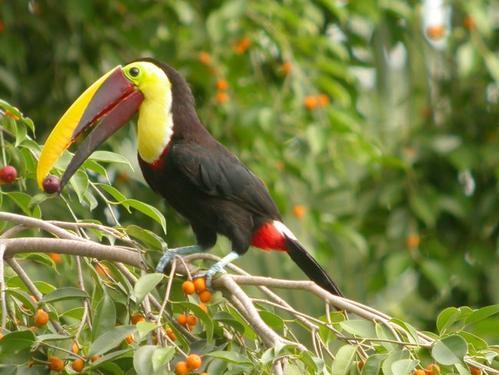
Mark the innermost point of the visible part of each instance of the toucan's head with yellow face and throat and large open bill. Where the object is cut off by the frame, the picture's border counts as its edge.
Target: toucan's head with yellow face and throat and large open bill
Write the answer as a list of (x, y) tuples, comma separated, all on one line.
[(143, 86)]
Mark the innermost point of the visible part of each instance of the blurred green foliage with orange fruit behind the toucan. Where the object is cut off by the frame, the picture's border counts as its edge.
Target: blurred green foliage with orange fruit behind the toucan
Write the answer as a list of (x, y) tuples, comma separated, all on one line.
[(373, 123)]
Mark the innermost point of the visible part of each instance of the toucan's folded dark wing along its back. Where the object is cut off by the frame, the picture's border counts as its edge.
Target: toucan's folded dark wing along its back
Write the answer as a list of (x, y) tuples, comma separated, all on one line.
[(217, 172)]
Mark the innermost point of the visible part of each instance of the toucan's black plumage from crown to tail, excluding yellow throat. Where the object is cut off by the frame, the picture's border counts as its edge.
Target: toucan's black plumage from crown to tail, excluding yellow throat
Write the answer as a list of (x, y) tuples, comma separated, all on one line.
[(213, 189)]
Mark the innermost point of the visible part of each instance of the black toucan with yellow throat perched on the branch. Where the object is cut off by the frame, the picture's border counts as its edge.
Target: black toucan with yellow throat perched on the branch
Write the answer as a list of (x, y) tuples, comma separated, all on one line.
[(181, 161)]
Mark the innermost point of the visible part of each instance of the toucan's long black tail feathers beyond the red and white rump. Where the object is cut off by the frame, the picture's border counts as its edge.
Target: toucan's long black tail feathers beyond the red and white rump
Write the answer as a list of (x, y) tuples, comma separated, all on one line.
[(310, 266)]
